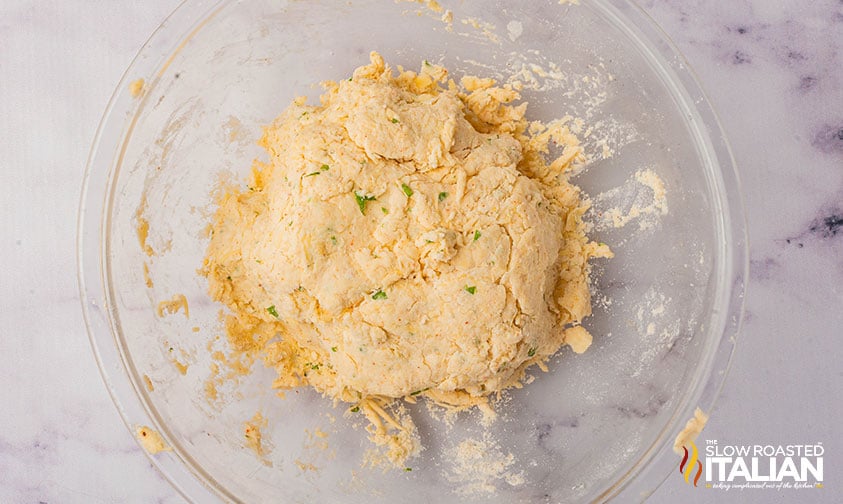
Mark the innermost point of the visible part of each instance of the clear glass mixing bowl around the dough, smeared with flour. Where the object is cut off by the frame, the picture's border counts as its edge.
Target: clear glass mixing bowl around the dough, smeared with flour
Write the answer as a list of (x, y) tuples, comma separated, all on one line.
[(596, 426)]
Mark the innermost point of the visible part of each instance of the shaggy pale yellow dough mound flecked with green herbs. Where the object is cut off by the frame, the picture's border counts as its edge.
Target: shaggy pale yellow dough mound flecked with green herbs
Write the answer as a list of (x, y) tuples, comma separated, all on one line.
[(406, 237)]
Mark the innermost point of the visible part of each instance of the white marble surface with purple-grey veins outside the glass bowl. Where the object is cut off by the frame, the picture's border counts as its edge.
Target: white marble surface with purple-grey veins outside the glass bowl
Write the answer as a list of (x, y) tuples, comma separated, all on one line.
[(773, 69)]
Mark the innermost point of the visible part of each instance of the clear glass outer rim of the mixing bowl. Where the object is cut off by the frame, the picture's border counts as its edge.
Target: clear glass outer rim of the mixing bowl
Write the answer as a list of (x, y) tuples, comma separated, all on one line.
[(643, 478)]
